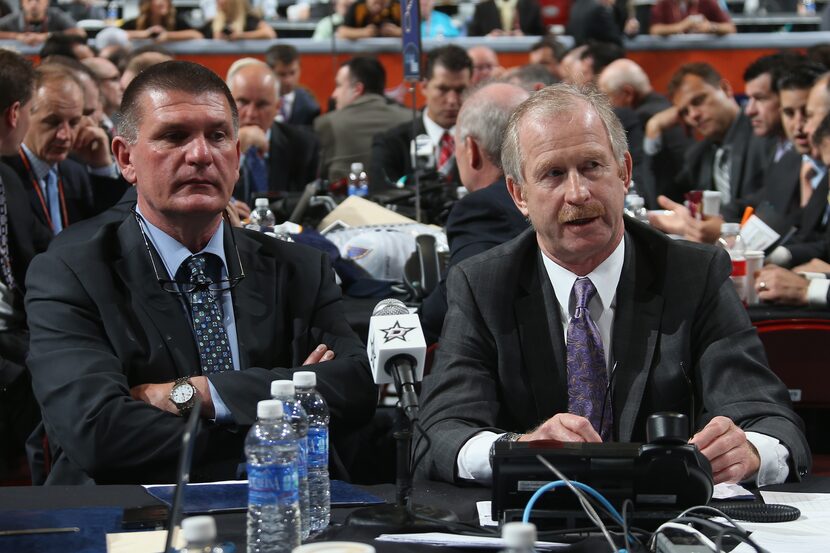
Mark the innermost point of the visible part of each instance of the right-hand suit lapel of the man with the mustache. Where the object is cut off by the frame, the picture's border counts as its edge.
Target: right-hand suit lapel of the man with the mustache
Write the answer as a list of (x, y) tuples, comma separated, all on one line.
[(636, 331)]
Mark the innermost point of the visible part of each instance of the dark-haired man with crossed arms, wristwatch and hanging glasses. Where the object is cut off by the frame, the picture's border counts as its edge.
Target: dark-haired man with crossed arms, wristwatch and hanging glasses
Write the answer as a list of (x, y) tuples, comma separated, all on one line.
[(133, 323)]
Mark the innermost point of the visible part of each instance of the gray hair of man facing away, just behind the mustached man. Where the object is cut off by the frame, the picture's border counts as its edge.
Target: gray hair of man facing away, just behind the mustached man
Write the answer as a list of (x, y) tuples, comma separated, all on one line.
[(485, 114)]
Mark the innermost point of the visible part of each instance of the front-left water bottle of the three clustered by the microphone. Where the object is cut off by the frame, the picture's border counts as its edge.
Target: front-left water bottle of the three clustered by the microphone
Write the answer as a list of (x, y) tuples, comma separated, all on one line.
[(273, 501)]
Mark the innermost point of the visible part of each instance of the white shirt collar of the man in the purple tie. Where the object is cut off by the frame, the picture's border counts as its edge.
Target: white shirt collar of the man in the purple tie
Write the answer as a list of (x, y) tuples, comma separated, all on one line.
[(606, 278)]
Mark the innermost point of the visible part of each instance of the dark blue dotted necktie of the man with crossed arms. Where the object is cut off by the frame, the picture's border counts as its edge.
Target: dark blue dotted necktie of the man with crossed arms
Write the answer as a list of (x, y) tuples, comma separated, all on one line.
[(206, 315)]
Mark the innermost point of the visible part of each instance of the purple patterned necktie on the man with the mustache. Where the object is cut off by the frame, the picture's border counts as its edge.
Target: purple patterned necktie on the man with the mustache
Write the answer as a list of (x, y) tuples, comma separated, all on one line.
[(587, 375)]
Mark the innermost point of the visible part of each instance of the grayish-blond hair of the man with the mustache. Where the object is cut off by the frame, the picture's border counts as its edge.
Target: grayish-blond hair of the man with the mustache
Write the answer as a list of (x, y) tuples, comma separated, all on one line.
[(551, 101)]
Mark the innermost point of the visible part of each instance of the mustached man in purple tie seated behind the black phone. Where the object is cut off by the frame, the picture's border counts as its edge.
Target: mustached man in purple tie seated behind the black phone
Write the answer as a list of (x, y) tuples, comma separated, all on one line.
[(585, 325)]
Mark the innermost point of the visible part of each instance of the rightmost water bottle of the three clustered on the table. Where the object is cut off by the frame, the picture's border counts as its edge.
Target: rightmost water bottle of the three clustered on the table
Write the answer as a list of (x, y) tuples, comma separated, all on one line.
[(318, 448)]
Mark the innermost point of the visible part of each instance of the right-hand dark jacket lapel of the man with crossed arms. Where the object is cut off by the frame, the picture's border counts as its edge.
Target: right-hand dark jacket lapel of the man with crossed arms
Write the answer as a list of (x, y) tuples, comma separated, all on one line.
[(251, 296)]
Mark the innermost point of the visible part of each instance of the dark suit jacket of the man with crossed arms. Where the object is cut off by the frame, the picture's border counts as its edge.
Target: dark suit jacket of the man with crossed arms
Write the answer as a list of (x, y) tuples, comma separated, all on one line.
[(101, 324)]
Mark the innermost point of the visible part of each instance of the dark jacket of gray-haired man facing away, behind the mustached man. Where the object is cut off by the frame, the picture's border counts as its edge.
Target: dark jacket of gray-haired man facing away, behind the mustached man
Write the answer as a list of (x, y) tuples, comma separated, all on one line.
[(479, 221)]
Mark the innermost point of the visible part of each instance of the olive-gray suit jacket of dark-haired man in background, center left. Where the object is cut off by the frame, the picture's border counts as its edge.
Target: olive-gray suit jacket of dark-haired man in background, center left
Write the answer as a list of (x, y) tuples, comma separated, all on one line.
[(346, 134)]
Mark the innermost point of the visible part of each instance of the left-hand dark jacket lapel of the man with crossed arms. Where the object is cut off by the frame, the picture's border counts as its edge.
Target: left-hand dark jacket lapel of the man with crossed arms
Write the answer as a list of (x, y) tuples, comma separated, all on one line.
[(163, 309)]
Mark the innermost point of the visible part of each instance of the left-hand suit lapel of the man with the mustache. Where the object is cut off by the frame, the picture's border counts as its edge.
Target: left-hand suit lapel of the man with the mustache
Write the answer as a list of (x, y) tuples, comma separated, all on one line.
[(540, 335)]
